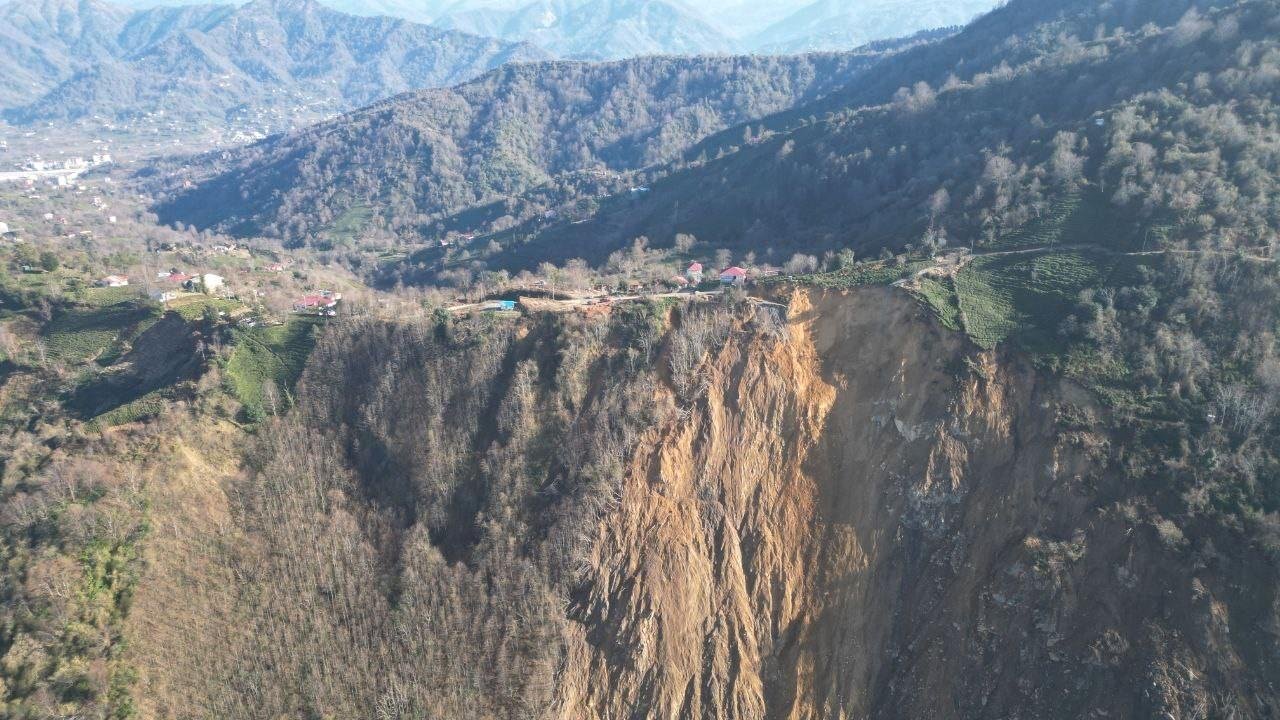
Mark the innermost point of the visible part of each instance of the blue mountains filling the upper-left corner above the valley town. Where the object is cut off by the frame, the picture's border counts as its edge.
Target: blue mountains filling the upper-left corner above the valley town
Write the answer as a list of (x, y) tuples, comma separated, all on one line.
[(273, 61)]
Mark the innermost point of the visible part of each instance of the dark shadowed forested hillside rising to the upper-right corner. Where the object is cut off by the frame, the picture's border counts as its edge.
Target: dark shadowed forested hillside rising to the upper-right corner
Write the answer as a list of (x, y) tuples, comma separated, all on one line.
[(1167, 127)]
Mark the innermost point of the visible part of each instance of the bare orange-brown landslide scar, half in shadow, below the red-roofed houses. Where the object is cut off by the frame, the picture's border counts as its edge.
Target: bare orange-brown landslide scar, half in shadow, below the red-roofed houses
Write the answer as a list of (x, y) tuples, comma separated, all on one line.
[(871, 520)]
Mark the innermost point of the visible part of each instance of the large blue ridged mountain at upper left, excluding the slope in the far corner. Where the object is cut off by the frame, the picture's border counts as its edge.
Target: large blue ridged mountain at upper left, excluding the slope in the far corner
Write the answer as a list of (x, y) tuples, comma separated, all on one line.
[(294, 58)]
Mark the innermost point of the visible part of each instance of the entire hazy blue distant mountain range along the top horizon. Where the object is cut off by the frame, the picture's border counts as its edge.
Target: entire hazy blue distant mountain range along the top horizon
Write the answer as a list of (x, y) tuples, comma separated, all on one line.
[(278, 65)]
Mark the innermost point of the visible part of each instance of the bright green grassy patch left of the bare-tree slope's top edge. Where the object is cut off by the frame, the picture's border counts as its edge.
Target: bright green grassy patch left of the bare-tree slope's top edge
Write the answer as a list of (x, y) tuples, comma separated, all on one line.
[(276, 354)]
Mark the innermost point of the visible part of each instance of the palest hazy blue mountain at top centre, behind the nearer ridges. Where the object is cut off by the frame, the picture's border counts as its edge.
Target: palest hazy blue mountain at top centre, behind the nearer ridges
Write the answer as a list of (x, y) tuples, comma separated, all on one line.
[(600, 29)]
